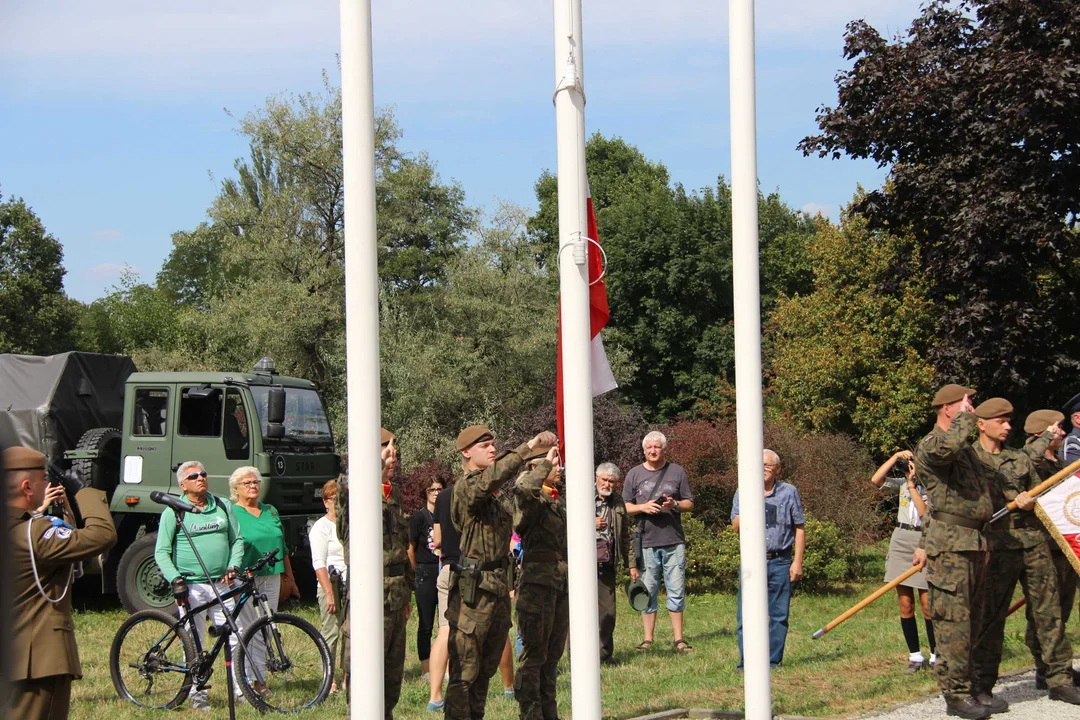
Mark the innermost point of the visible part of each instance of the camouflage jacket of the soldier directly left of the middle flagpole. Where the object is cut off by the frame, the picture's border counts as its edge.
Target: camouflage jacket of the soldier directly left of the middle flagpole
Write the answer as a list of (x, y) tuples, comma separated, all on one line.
[(541, 521)]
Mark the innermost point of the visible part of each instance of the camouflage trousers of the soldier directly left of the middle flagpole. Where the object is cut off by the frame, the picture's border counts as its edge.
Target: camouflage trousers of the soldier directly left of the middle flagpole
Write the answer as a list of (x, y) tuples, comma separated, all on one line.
[(544, 622)]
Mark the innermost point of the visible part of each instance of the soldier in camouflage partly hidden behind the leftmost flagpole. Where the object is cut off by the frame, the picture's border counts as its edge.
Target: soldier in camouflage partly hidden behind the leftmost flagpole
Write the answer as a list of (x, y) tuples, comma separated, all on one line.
[(397, 576)]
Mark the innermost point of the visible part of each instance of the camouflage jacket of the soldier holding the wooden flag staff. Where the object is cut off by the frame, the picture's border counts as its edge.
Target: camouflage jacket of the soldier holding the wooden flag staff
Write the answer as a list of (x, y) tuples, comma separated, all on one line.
[(1010, 473)]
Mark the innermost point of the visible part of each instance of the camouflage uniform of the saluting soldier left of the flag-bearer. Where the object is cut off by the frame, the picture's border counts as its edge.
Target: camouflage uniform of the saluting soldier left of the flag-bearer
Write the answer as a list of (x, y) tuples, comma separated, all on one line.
[(956, 554)]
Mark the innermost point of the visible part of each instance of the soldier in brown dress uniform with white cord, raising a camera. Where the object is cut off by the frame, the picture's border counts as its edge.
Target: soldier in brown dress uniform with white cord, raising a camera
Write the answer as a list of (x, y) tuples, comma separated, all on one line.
[(44, 660)]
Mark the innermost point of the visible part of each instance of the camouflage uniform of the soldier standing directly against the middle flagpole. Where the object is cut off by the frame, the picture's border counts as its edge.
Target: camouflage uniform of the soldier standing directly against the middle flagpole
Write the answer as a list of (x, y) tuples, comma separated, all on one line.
[(544, 616)]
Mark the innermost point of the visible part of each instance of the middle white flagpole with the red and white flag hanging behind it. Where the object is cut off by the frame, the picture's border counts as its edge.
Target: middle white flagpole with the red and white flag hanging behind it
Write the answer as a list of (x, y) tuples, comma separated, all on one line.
[(577, 361)]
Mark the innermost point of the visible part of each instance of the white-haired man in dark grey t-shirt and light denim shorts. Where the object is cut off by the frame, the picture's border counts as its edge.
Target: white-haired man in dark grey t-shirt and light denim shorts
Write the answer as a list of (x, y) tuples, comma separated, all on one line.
[(657, 493)]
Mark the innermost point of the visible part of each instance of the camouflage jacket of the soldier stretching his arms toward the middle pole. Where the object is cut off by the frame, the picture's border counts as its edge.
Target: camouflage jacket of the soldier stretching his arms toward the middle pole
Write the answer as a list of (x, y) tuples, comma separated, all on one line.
[(484, 517)]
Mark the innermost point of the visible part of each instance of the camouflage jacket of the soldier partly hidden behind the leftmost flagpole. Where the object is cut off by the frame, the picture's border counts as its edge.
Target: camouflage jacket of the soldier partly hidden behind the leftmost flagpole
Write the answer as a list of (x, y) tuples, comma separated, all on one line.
[(397, 572)]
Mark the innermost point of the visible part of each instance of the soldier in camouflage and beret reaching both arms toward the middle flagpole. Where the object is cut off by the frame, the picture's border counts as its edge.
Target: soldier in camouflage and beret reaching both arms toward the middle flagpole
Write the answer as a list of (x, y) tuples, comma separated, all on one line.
[(479, 606)]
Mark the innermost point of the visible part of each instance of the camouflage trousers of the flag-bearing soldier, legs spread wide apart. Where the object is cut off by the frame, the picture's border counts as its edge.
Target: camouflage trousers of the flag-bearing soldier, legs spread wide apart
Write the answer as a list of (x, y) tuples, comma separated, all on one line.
[(1035, 570)]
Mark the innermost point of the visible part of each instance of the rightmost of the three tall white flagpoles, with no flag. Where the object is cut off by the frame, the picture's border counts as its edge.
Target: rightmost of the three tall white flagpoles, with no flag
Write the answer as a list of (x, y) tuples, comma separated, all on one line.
[(748, 319)]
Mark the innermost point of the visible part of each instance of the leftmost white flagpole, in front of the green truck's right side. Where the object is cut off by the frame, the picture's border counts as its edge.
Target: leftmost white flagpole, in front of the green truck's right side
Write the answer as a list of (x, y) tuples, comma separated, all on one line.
[(362, 360)]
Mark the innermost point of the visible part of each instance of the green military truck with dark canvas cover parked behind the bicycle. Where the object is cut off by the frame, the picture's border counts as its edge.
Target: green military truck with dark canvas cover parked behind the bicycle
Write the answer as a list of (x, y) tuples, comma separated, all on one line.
[(127, 432)]
